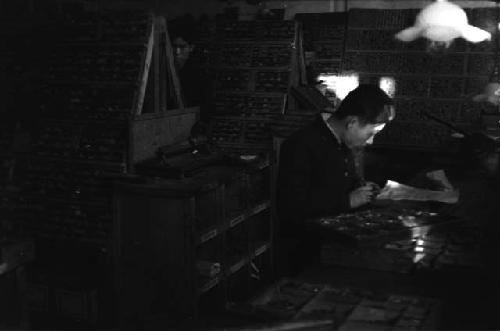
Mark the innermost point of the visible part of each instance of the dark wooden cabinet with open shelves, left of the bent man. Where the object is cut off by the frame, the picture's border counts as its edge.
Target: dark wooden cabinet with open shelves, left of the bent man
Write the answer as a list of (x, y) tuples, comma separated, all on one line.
[(192, 246)]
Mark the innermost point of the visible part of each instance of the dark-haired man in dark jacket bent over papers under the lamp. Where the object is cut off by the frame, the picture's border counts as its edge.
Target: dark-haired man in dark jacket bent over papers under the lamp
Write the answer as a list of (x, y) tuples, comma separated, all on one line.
[(317, 170)]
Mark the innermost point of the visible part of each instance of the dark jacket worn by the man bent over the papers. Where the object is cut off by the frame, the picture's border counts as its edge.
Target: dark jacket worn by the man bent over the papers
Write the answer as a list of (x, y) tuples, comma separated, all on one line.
[(316, 174)]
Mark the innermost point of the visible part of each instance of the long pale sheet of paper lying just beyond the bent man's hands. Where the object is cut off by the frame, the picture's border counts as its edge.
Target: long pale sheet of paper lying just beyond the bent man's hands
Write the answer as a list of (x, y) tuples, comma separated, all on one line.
[(396, 191)]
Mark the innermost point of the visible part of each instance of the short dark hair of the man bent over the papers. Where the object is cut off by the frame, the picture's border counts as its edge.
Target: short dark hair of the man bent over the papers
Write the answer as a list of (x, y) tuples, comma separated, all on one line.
[(369, 103)]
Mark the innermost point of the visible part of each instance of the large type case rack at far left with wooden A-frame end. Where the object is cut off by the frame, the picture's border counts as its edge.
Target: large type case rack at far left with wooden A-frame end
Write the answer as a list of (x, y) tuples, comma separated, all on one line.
[(109, 98)]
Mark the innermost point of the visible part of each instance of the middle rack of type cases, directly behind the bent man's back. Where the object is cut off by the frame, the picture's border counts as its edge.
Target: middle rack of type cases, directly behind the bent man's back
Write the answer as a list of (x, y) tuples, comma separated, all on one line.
[(256, 64)]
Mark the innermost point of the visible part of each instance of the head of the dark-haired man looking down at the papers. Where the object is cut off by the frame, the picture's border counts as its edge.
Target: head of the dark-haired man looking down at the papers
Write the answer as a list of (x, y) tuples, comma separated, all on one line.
[(364, 112)]
